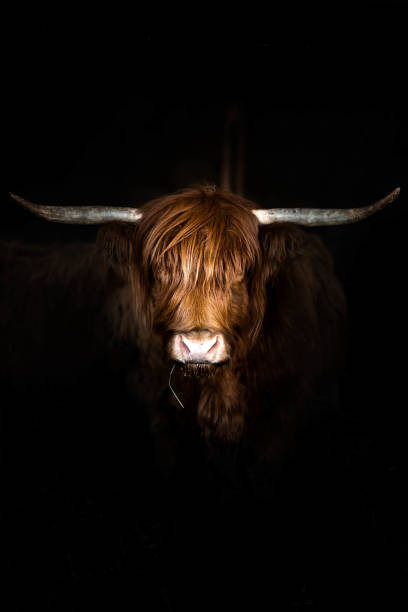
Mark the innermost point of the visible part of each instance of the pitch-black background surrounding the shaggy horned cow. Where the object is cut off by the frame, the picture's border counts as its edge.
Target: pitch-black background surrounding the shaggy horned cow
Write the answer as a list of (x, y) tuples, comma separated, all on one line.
[(110, 114)]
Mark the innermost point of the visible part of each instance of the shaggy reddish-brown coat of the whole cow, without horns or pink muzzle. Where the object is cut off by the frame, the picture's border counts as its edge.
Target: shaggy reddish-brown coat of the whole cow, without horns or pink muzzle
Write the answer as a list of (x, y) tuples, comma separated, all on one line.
[(269, 292)]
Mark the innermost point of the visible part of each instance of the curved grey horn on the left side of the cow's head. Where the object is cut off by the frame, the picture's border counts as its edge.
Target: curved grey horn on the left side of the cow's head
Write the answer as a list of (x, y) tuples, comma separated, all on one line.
[(83, 215)]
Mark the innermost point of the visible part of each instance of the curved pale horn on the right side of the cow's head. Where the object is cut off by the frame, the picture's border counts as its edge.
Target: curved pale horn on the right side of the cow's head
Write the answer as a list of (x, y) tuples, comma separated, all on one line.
[(323, 216)]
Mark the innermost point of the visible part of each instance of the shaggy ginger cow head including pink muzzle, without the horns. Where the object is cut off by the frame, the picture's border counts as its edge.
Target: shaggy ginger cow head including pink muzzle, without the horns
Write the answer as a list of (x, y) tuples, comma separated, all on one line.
[(200, 260)]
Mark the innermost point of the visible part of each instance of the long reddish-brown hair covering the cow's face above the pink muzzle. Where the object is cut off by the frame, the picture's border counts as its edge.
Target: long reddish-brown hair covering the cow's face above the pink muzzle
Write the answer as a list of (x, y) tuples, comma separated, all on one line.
[(199, 244)]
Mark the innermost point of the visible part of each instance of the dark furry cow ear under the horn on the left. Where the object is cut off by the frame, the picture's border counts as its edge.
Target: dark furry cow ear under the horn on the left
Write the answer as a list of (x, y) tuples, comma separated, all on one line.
[(116, 243)]
